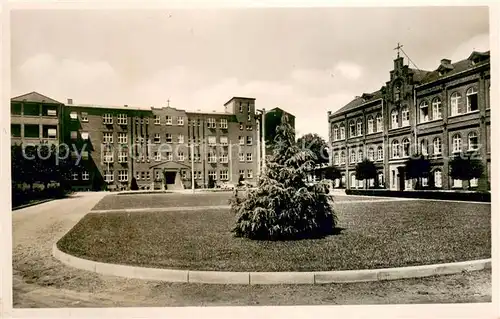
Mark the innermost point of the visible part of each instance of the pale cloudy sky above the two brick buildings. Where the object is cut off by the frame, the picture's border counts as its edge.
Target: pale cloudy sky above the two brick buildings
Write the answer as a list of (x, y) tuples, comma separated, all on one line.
[(306, 61)]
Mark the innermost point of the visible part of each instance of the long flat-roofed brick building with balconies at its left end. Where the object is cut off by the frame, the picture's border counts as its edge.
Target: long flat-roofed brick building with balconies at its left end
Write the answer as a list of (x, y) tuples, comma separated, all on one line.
[(163, 148)]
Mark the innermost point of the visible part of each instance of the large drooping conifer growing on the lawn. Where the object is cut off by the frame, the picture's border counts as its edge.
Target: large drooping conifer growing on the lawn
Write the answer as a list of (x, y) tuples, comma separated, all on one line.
[(284, 207)]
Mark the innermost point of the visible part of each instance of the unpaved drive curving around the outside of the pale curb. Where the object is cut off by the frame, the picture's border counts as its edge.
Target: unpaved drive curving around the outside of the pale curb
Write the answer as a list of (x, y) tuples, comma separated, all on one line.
[(41, 281)]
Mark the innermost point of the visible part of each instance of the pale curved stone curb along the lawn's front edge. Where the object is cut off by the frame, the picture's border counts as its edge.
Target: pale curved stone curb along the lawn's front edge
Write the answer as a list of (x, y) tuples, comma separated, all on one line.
[(268, 278)]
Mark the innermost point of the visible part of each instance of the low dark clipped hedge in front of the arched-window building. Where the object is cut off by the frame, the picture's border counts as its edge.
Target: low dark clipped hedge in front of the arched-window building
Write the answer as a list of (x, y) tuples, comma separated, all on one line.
[(452, 195)]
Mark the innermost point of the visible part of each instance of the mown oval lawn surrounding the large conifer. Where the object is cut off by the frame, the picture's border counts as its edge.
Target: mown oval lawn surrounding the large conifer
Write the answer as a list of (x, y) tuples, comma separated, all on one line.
[(374, 235)]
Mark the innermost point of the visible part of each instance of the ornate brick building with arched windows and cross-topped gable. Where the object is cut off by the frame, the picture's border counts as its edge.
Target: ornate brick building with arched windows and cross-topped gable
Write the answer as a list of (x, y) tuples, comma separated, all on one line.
[(437, 114)]
